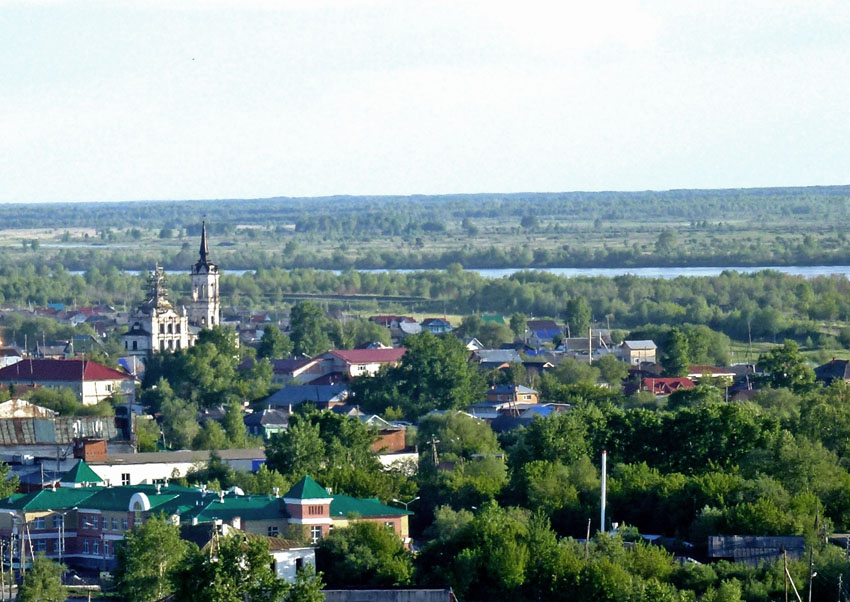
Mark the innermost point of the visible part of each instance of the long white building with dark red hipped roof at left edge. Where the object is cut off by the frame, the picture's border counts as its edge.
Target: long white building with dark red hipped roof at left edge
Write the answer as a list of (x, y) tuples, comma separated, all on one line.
[(90, 381)]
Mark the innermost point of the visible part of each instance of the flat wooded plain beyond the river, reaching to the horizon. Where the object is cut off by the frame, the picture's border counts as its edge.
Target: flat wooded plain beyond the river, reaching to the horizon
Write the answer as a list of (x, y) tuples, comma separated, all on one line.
[(735, 227)]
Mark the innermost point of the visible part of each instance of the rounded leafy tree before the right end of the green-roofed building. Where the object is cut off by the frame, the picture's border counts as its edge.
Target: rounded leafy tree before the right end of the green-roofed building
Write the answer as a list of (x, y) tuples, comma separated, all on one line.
[(364, 553)]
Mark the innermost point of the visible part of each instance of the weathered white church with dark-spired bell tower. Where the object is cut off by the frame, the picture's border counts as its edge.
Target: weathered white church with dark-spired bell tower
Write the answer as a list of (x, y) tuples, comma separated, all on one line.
[(157, 325)]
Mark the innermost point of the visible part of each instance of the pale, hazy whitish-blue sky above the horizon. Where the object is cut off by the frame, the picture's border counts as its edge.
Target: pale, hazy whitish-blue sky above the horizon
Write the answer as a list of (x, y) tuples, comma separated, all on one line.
[(148, 100)]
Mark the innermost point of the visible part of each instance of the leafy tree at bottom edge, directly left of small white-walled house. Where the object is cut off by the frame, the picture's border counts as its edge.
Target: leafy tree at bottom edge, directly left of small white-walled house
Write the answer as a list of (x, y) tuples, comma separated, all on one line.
[(235, 569)]
